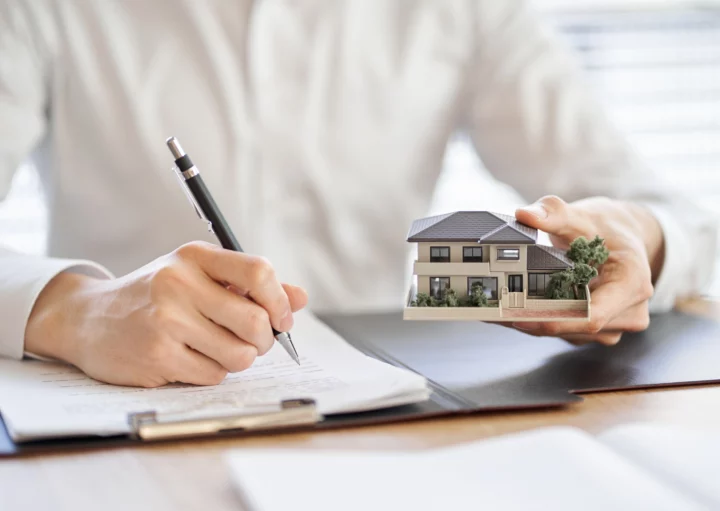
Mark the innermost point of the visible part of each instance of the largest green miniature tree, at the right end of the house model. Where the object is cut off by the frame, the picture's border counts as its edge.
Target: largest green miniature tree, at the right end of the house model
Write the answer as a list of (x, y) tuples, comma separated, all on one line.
[(586, 257)]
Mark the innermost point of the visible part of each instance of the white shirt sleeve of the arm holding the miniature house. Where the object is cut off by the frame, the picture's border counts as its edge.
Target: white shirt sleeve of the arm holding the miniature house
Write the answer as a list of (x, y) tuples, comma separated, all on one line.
[(538, 127)]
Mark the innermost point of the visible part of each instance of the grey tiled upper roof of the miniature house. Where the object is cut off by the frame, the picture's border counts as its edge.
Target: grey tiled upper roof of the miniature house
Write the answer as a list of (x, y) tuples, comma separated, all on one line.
[(476, 226)]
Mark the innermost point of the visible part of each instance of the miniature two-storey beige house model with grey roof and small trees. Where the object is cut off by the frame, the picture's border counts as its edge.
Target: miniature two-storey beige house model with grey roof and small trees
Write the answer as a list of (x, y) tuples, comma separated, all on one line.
[(478, 265)]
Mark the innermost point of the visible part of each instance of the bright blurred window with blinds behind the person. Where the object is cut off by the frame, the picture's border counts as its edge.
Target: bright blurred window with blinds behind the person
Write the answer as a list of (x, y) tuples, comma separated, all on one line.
[(655, 64)]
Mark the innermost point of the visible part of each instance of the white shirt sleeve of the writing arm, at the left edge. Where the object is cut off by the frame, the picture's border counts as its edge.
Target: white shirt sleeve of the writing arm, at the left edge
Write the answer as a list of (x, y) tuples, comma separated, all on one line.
[(24, 61)]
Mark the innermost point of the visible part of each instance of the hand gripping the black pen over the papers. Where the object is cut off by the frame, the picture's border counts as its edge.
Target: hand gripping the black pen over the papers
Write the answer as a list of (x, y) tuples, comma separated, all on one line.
[(176, 319)]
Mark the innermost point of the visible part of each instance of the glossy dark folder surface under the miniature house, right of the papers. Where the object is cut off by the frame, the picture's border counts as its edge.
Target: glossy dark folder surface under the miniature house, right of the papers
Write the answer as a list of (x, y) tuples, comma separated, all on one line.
[(495, 367)]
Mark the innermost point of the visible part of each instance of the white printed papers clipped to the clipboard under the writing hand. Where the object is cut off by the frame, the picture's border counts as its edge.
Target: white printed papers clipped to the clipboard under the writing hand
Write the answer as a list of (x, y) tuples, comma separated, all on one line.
[(40, 399)]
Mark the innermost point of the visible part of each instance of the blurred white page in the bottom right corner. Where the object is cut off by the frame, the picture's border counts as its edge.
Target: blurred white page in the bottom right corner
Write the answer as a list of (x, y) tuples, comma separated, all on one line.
[(687, 459)]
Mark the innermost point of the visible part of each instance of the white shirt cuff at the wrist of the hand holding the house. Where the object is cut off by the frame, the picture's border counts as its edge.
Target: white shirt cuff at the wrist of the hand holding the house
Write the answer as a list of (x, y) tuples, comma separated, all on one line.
[(672, 281)]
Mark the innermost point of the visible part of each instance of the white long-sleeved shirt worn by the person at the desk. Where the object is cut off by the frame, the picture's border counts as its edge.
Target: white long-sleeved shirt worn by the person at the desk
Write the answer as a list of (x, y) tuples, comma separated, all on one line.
[(319, 126)]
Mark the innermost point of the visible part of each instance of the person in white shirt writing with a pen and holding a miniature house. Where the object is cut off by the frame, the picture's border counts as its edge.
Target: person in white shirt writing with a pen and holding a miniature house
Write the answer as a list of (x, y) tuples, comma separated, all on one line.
[(320, 128)]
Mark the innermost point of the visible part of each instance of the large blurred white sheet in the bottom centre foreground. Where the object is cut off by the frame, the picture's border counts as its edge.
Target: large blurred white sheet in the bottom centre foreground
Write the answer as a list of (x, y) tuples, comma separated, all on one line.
[(556, 468)]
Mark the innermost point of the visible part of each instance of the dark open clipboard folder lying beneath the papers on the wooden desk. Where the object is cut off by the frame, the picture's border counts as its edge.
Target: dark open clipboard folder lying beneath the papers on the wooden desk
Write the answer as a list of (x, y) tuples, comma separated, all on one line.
[(471, 367)]
